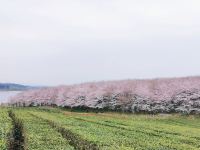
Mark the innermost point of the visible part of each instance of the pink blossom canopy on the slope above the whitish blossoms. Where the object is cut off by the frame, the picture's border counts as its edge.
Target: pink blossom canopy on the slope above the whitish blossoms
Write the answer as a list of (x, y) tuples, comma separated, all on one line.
[(155, 89)]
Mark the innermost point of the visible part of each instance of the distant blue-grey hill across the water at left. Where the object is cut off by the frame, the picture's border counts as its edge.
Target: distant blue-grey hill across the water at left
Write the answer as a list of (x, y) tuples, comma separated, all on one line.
[(13, 87)]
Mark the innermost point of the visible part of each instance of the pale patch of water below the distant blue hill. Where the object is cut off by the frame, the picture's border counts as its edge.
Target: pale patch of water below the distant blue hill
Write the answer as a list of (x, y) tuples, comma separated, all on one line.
[(5, 95)]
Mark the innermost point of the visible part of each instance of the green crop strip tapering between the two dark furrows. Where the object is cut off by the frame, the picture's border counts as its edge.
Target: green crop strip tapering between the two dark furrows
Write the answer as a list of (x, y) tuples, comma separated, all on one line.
[(40, 135)]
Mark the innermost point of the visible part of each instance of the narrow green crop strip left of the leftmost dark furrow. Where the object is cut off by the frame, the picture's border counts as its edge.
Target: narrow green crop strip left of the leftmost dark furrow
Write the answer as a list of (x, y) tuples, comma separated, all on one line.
[(5, 129)]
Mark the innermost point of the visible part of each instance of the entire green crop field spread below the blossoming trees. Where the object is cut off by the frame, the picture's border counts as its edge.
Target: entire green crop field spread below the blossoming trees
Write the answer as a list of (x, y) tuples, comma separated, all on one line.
[(56, 129)]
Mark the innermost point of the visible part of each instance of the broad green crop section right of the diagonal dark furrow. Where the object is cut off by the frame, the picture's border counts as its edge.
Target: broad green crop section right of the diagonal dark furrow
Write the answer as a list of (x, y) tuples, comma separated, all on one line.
[(115, 131)]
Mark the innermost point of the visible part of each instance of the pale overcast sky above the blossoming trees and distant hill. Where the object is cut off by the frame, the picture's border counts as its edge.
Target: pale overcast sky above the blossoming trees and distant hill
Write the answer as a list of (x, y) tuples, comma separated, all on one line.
[(53, 42)]
